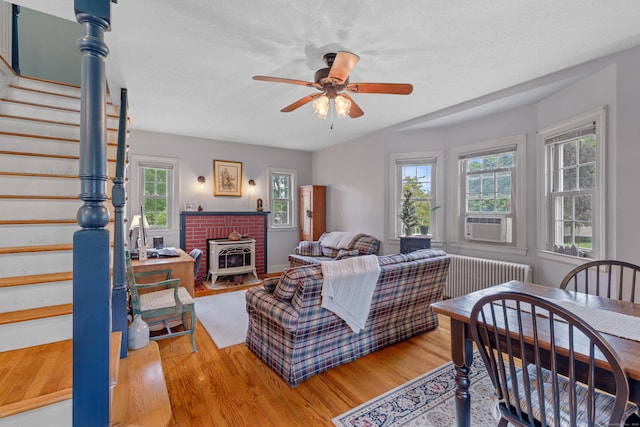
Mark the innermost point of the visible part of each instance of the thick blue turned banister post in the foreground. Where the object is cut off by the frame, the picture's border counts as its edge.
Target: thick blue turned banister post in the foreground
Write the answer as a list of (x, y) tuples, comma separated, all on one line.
[(91, 278)]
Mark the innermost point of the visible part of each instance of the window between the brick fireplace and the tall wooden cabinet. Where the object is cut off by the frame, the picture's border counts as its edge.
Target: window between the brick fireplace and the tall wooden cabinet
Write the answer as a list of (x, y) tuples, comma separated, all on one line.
[(283, 198)]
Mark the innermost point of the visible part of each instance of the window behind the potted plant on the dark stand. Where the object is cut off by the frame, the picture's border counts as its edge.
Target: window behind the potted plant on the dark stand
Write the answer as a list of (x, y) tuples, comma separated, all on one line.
[(418, 173)]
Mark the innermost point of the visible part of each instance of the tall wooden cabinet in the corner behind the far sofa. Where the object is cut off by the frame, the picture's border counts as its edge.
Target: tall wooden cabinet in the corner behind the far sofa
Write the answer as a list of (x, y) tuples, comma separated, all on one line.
[(312, 211)]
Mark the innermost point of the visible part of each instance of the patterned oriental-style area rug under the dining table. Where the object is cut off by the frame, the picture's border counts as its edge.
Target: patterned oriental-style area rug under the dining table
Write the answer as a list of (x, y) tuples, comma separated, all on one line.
[(428, 400)]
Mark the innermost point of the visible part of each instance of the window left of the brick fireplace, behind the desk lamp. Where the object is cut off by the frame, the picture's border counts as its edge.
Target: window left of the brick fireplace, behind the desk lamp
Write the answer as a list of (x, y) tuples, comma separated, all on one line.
[(154, 189)]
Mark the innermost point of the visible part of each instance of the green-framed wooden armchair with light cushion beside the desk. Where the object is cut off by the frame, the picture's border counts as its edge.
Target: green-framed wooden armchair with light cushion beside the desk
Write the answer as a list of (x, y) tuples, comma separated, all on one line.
[(163, 303)]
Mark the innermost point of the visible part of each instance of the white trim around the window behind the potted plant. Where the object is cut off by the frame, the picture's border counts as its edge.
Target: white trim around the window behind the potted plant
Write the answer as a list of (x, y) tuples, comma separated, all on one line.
[(439, 199)]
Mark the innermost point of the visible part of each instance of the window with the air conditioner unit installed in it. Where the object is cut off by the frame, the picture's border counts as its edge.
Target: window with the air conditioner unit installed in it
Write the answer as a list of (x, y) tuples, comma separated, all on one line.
[(491, 192)]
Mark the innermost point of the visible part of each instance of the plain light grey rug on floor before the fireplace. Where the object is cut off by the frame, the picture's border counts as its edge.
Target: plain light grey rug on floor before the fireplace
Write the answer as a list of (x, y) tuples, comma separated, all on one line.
[(224, 316)]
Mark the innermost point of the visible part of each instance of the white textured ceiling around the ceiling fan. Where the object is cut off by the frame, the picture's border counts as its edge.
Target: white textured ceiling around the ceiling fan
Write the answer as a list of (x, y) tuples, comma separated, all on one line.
[(188, 64)]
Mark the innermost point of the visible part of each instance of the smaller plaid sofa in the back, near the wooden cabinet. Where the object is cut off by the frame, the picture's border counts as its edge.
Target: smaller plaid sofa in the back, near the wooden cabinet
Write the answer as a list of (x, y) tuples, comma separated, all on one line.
[(308, 253)]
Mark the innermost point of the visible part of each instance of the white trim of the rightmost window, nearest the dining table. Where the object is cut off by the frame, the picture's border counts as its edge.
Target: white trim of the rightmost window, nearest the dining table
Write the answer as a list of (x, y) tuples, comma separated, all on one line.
[(599, 117)]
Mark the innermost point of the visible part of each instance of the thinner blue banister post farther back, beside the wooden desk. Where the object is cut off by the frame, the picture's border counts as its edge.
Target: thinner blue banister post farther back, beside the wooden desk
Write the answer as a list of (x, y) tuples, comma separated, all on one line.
[(118, 199)]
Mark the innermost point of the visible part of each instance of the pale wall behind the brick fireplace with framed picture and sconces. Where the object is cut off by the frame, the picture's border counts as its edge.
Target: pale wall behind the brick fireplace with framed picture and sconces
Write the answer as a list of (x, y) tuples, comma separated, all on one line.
[(196, 157)]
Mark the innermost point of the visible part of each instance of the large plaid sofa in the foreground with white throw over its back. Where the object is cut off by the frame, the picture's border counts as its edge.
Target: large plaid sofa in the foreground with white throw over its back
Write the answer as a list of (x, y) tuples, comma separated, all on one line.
[(290, 331)]
